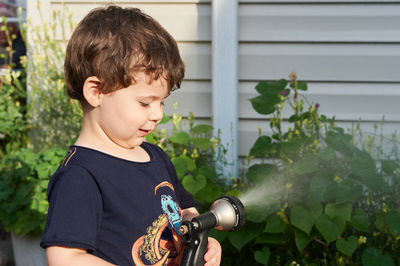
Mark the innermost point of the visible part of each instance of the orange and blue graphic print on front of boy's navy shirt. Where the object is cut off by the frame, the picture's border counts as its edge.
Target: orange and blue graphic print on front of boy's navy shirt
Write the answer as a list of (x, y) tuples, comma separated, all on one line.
[(152, 248)]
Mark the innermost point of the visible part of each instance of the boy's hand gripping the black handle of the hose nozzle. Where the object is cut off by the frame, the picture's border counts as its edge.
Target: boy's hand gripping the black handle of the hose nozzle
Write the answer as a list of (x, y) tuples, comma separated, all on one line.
[(214, 251)]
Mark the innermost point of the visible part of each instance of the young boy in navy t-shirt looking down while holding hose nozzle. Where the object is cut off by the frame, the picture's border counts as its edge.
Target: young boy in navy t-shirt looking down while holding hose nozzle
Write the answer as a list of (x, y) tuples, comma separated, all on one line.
[(116, 200)]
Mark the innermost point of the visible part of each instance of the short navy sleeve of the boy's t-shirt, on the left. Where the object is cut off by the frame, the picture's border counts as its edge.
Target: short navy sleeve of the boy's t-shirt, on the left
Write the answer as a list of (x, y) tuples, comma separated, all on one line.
[(74, 210)]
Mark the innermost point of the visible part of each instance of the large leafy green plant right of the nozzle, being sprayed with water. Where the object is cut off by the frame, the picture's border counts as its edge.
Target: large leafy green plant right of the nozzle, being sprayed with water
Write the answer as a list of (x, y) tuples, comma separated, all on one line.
[(321, 196)]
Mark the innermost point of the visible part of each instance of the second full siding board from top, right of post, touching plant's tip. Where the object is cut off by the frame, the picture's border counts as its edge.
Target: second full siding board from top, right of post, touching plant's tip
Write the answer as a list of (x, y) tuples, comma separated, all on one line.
[(320, 62)]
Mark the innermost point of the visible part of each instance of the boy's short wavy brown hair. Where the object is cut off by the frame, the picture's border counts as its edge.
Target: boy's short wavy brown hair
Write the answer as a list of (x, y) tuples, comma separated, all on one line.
[(113, 44)]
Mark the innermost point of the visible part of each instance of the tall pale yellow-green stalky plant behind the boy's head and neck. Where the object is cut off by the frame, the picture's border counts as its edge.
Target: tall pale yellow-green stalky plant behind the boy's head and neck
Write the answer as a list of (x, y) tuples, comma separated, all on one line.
[(54, 117)]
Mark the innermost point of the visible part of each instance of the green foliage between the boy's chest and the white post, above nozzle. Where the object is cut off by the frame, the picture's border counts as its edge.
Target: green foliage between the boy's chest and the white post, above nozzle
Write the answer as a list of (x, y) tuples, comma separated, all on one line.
[(193, 151)]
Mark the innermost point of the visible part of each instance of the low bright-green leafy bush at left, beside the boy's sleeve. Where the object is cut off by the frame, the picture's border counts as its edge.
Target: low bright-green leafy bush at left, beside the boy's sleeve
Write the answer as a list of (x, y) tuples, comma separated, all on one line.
[(24, 179)]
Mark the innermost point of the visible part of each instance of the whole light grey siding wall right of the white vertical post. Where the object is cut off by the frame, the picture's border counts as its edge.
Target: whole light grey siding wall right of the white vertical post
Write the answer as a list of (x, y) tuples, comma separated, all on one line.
[(347, 51)]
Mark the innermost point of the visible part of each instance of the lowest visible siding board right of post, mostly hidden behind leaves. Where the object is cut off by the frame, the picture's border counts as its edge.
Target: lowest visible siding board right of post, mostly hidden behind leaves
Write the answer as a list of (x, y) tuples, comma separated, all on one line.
[(248, 131)]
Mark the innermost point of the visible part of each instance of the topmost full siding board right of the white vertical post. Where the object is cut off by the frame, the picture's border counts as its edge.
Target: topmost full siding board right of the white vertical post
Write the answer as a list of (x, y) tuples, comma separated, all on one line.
[(319, 23)]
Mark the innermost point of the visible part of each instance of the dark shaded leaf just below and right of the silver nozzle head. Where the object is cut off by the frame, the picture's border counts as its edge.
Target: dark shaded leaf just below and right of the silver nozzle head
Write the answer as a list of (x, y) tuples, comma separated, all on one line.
[(244, 235)]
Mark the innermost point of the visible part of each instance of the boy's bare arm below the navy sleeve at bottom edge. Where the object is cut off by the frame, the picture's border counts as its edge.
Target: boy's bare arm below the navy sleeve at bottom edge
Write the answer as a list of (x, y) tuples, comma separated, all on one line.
[(65, 256)]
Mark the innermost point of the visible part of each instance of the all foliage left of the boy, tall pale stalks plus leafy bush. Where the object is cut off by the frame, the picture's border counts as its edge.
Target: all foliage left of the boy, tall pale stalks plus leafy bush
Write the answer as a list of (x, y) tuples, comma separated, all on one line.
[(50, 119)]
